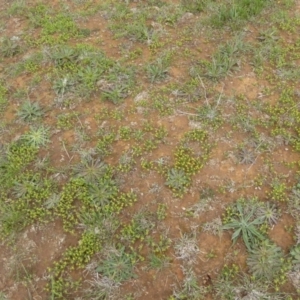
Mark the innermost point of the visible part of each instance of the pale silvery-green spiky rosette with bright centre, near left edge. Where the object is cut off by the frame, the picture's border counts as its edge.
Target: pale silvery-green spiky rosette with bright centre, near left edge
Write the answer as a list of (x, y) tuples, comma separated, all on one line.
[(37, 136)]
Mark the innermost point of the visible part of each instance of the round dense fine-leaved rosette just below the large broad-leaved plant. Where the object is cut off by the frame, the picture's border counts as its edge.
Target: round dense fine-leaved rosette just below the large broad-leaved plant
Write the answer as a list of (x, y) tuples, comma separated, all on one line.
[(265, 260)]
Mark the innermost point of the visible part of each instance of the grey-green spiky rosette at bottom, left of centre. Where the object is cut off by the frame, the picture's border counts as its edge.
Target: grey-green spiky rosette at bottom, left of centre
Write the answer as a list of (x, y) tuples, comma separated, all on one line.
[(117, 265)]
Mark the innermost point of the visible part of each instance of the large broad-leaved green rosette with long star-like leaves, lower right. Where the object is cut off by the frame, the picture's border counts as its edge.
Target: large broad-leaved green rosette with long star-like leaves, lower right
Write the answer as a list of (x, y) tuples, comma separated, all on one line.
[(245, 224)]
